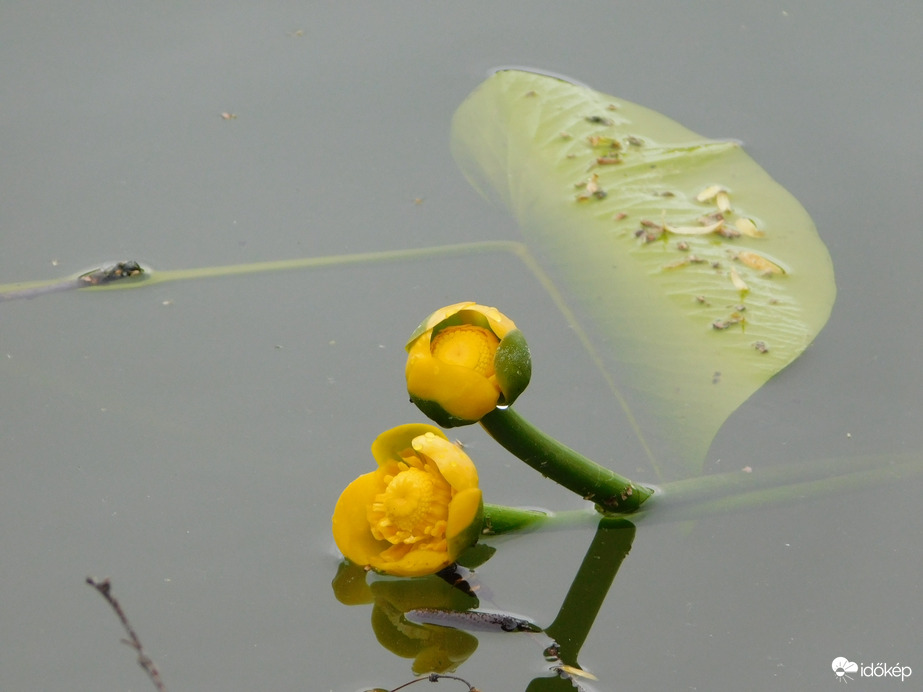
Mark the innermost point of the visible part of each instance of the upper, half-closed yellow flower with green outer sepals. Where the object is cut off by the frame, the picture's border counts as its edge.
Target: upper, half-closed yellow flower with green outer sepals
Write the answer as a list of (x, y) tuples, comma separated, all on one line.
[(463, 361)]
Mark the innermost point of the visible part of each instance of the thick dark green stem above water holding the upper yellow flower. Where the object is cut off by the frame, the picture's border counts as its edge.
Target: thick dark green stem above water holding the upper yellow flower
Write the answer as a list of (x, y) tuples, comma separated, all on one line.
[(610, 491)]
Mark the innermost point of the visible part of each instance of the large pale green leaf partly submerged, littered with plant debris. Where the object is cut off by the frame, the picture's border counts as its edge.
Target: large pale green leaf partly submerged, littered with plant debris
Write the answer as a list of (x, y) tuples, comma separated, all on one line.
[(619, 203)]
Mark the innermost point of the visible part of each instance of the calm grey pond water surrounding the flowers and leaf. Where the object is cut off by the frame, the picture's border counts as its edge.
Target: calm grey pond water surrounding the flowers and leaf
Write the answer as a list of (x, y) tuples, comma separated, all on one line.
[(189, 439)]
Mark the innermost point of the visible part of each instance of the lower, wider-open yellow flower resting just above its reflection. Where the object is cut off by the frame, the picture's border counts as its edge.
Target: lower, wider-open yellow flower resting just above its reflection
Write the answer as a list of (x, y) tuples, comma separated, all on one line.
[(417, 512)]
